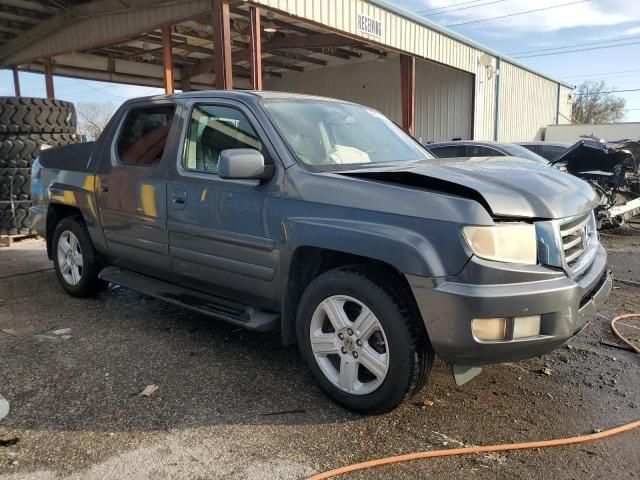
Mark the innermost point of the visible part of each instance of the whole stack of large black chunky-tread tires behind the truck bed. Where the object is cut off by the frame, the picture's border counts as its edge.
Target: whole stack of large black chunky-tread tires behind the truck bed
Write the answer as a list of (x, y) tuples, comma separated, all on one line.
[(27, 125)]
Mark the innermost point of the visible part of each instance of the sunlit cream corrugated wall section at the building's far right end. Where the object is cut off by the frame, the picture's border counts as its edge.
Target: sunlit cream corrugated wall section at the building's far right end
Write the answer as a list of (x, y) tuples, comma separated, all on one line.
[(528, 103)]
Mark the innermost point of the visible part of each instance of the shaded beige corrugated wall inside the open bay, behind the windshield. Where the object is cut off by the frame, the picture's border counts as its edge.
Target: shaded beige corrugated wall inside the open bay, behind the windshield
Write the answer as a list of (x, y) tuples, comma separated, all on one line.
[(444, 96)]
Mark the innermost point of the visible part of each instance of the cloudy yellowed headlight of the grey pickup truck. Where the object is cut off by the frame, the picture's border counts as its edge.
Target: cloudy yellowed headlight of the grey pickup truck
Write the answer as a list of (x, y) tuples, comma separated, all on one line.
[(504, 243)]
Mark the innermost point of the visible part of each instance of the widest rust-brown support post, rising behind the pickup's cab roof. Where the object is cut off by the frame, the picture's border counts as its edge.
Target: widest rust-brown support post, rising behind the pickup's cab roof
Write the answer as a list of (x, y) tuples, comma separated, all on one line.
[(221, 24)]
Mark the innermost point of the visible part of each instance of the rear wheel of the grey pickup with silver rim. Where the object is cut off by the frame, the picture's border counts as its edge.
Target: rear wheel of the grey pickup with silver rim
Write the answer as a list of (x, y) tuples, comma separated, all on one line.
[(75, 259)]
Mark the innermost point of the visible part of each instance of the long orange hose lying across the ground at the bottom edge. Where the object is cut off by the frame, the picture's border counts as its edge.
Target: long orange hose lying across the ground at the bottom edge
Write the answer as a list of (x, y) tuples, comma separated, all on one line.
[(469, 450)]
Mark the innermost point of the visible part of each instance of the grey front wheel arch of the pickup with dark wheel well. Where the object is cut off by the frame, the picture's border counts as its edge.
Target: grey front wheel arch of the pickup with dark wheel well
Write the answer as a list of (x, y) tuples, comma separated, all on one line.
[(311, 248)]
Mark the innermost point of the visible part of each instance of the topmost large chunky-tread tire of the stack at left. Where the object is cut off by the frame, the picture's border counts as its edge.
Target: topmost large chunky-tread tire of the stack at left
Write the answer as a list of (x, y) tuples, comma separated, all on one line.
[(36, 115)]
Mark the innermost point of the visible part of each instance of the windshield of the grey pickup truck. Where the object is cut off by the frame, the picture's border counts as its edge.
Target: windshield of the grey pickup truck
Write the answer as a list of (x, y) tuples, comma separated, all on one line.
[(325, 134)]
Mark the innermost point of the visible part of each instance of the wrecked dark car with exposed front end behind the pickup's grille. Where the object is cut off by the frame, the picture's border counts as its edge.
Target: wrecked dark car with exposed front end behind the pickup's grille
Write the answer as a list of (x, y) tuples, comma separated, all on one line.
[(613, 170)]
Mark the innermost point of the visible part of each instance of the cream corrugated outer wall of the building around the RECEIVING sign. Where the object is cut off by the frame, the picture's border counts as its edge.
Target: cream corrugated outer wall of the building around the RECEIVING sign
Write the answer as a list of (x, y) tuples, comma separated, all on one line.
[(527, 103)]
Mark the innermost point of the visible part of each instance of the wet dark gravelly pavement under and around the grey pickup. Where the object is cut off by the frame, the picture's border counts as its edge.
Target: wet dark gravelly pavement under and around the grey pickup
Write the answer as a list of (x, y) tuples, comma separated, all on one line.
[(233, 404)]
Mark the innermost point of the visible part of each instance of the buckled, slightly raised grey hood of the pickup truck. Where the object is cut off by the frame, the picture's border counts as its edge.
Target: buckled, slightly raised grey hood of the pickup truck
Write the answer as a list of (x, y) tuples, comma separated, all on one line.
[(507, 186)]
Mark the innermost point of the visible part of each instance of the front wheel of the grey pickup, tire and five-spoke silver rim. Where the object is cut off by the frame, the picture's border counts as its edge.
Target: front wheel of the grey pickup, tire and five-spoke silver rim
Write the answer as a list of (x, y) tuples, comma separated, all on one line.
[(360, 342)]
